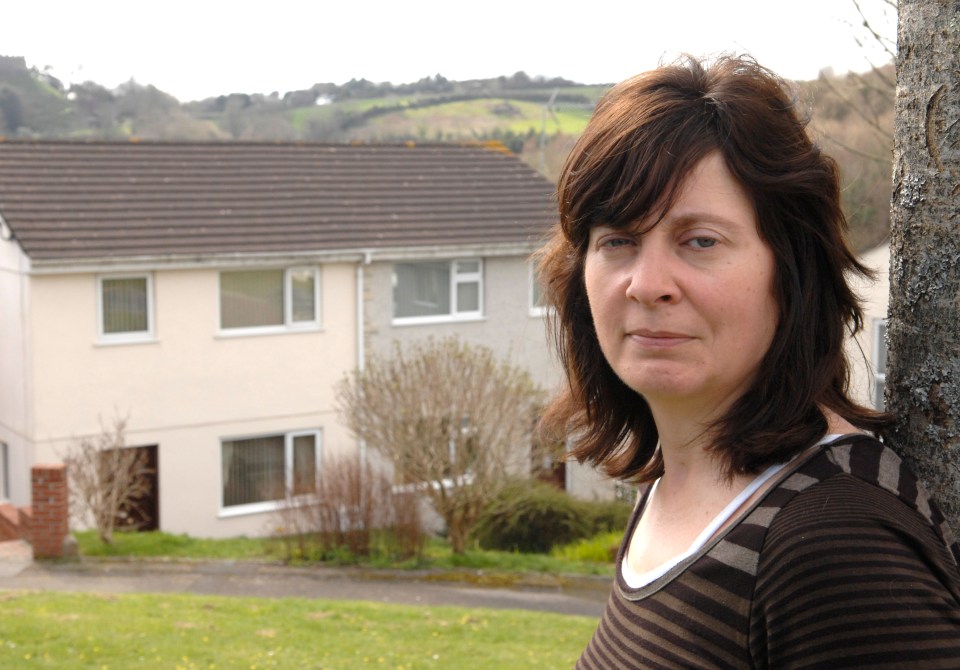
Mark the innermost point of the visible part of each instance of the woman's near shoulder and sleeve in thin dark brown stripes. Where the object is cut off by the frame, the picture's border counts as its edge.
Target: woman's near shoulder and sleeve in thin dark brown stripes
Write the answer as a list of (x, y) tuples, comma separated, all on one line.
[(857, 545)]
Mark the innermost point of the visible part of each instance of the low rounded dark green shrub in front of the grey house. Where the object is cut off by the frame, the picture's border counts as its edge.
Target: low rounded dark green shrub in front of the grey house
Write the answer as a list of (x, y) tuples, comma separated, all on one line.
[(532, 517)]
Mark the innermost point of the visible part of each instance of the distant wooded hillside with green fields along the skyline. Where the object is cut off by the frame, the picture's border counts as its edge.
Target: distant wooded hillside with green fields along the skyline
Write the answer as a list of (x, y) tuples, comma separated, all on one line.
[(538, 119)]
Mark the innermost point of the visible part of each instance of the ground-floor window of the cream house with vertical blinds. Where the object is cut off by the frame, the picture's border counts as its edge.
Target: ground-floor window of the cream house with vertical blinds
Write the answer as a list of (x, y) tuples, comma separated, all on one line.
[(260, 471)]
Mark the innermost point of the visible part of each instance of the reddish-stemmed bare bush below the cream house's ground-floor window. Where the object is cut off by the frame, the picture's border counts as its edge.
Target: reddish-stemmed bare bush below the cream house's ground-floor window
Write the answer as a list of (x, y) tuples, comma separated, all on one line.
[(354, 508)]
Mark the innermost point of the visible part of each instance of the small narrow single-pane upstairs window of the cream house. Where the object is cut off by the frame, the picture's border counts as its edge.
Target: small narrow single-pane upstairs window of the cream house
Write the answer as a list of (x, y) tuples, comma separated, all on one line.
[(126, 308)]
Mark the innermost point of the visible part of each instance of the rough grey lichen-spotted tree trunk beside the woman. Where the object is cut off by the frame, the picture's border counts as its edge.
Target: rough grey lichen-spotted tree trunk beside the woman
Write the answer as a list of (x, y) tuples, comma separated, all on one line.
[(923, 376)]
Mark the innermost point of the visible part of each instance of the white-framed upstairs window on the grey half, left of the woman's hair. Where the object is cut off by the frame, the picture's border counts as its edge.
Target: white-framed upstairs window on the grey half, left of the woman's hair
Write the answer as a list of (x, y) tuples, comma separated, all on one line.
[(432, 291)]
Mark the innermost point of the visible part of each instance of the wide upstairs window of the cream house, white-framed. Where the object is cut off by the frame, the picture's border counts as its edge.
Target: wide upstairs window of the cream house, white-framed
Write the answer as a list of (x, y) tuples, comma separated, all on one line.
[(269, 299)]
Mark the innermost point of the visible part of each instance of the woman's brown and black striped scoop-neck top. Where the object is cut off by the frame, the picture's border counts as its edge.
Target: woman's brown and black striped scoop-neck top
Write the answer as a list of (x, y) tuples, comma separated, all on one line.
[(844, 563)]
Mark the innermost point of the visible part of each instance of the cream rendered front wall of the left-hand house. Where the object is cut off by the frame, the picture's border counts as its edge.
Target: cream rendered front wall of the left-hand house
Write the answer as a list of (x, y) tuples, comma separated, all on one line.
[(188, 388)]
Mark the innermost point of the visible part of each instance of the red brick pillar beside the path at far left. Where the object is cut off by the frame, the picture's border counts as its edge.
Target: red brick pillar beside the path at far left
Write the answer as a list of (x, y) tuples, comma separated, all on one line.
[(48, 523)]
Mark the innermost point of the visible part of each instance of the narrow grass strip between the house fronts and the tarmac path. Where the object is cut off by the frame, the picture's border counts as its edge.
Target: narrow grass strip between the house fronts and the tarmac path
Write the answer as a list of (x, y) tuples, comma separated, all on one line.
[(436, 555)]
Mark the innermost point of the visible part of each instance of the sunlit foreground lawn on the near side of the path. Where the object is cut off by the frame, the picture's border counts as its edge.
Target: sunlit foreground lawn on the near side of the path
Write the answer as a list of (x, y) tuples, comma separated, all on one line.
[(68, 631)]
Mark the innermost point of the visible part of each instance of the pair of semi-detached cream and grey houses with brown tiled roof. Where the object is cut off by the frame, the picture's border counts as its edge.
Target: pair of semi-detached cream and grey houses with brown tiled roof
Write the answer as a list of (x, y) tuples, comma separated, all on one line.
[(217, 292)]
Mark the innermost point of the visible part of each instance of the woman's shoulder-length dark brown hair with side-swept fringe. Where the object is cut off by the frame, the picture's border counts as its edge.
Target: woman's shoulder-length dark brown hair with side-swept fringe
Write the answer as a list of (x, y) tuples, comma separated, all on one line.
[(645, 136)]
